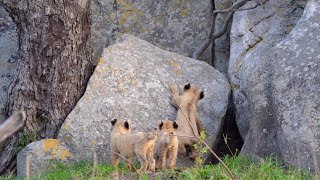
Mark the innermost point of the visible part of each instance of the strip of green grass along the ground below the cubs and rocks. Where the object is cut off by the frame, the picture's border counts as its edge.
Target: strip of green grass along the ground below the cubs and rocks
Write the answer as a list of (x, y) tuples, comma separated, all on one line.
[(242, 167)]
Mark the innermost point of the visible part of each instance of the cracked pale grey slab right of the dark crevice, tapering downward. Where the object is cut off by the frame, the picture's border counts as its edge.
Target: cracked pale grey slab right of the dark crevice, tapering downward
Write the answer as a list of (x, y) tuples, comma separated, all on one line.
[(252, 36)]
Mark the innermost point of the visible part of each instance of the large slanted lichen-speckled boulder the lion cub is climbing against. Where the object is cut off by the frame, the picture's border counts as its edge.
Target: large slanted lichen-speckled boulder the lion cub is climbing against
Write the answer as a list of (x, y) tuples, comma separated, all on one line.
[(126, 84)]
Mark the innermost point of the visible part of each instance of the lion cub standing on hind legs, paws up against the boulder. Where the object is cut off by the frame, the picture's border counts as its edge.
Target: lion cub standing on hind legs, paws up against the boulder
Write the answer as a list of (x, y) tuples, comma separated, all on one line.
[(188, 104)]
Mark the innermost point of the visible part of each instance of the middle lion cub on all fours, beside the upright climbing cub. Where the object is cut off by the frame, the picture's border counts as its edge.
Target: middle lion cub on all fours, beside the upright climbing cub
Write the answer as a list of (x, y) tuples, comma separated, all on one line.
[(167, 144)]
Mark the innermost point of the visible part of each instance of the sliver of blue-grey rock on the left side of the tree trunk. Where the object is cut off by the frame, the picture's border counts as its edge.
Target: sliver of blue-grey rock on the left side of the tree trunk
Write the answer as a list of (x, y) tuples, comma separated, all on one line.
[(8, 57)]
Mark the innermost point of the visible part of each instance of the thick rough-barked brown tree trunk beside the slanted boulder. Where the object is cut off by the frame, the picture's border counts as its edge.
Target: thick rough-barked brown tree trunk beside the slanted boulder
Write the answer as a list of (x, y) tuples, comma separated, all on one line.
[(54, 65)]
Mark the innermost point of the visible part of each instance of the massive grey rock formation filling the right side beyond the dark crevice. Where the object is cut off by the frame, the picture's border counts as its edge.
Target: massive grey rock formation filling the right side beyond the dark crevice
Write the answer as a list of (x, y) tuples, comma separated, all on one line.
[(276, 85)]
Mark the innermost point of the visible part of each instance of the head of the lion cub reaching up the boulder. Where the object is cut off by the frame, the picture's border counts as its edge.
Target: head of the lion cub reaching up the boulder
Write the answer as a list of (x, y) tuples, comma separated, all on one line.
[(192, 93)]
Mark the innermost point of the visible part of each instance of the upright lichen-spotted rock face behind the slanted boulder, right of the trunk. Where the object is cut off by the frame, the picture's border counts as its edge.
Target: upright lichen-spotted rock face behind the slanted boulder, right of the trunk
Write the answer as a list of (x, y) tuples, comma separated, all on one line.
[(177, 26)]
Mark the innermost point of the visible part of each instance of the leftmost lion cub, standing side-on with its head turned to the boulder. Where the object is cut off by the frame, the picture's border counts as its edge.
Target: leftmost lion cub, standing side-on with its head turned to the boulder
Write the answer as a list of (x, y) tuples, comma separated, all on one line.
[(127, 144)]
